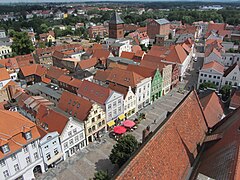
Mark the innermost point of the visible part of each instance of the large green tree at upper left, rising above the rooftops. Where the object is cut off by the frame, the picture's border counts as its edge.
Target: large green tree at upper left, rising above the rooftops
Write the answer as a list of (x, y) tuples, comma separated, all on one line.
[(22, 44)]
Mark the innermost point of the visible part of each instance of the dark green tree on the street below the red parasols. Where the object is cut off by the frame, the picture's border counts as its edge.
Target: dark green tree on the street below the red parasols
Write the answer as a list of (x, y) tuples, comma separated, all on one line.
[(123, 150)]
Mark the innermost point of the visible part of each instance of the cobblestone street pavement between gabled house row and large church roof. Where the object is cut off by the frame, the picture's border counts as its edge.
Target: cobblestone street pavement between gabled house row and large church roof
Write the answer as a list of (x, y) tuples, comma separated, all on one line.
[(83, 165)]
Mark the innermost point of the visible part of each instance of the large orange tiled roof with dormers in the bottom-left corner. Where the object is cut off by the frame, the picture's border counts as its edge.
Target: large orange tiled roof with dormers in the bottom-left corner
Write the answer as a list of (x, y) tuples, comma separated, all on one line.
[(12, 125)]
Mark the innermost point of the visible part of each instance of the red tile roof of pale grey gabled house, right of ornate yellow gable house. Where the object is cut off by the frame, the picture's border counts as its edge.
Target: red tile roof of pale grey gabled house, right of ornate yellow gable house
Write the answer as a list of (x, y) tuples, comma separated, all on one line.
[(94, 92)]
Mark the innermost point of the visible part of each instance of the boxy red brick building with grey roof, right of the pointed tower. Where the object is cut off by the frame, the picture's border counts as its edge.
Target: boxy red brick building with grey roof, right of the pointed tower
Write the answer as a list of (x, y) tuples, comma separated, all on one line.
[(159, 26)]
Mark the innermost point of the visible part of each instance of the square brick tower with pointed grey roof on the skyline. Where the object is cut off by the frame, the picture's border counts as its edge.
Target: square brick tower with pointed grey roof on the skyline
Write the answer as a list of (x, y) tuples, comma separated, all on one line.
[(116, 27)]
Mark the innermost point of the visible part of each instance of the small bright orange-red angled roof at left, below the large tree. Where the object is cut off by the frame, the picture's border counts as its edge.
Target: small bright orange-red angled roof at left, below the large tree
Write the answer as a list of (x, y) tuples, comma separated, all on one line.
[(35, 69)]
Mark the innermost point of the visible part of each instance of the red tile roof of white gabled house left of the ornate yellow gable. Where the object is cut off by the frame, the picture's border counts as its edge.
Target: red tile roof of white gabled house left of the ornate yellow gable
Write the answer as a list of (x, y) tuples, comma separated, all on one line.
[(55, 121)]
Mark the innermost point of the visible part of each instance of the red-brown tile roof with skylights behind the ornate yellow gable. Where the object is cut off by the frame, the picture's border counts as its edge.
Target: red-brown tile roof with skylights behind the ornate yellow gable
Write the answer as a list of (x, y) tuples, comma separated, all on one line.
[(75, 105)]
